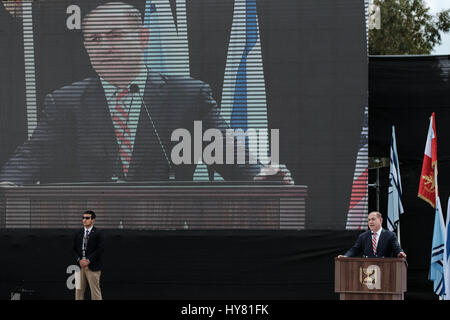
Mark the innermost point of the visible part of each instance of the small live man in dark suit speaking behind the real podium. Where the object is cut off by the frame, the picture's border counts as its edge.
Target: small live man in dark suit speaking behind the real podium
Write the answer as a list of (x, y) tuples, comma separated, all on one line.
[(376, 242)]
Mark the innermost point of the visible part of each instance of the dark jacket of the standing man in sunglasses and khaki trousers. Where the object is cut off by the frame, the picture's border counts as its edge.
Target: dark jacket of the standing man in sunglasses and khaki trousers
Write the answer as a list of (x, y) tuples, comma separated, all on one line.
[(94, 249)]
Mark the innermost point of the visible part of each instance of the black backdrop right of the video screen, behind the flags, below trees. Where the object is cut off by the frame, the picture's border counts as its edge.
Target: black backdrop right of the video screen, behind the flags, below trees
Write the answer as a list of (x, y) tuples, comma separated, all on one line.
[(404, 91)]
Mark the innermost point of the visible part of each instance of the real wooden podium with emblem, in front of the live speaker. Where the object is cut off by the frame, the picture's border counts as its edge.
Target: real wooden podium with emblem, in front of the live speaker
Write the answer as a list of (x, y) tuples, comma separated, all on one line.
[(370, 278)]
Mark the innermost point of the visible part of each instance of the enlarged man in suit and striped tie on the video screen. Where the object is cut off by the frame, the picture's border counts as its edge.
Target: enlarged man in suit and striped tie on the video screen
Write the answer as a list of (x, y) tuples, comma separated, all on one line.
[(118, 126)]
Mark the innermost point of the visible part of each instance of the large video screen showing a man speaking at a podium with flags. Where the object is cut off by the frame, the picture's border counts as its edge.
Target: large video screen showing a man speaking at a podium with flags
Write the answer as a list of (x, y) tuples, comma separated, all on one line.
[(177, 114)]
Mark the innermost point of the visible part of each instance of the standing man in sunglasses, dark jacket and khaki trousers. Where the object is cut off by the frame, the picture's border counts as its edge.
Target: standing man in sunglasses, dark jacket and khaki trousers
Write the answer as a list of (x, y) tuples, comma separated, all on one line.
[(88, 247)]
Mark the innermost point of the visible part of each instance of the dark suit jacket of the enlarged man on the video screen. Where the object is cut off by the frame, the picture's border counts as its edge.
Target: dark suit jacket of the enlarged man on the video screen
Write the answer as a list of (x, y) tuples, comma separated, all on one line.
[(75, 139)]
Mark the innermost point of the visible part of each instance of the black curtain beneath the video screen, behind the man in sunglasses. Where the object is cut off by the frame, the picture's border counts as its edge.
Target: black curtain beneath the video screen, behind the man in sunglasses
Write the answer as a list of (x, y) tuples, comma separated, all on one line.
[(188, 265)]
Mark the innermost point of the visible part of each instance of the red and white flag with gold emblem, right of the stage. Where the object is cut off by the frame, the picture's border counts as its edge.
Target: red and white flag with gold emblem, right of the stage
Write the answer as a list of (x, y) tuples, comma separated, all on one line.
[(429, 166)]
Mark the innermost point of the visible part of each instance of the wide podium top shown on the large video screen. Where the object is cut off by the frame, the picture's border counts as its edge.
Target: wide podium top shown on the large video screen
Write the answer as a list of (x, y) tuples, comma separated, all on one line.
[(157, 206)]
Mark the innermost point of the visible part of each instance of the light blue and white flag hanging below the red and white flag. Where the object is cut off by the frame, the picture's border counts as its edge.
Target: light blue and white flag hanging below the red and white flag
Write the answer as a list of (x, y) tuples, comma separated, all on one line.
[(437, 252)]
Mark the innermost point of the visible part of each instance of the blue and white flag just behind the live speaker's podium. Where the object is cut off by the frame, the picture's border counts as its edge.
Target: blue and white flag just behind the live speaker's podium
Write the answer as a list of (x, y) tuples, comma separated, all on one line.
[(395, 207)]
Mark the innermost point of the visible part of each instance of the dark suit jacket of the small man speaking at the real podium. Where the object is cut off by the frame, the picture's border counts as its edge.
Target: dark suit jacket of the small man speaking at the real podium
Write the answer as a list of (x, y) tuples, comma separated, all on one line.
[(387, 246)]
